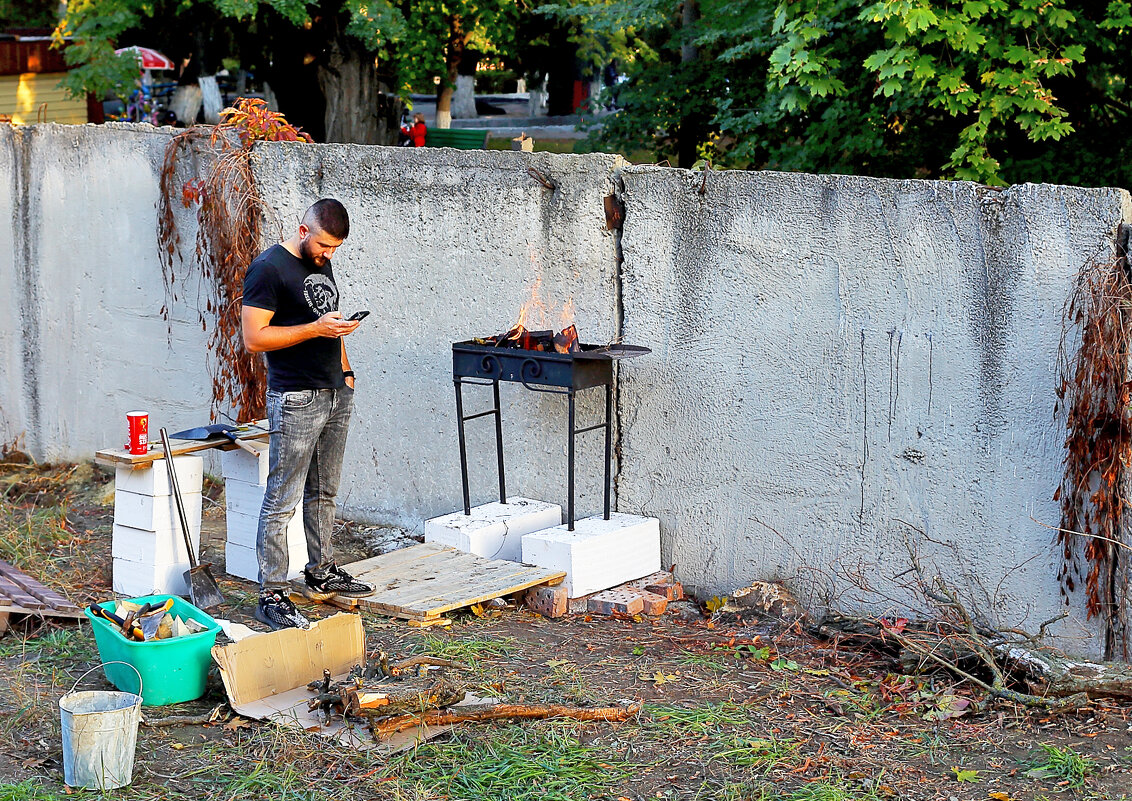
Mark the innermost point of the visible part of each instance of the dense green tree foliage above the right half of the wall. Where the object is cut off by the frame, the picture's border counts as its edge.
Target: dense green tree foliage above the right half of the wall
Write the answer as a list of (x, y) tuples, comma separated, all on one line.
[(984, 90)]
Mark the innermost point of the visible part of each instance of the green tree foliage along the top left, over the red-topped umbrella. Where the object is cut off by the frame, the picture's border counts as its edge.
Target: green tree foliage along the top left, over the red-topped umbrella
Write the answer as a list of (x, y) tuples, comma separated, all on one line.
[(408, 41)]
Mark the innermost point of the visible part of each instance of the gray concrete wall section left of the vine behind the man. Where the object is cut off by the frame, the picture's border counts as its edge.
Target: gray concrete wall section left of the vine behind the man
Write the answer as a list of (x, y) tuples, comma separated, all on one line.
[(84, 292)]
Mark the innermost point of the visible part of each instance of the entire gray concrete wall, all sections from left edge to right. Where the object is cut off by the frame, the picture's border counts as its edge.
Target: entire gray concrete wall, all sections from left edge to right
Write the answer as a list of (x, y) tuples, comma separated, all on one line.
[(839, 364)]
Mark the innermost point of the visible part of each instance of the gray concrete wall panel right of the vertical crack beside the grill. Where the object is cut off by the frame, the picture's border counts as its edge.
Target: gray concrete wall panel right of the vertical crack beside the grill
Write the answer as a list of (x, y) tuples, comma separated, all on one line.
[(843, 364)]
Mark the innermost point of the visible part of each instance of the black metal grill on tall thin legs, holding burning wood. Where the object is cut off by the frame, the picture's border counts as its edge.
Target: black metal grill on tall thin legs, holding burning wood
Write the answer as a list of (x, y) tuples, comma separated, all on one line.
[(559, 374)]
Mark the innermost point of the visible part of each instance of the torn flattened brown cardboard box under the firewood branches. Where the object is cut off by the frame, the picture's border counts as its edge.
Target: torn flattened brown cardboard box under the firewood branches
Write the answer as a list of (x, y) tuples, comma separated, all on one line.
[(267, 677)]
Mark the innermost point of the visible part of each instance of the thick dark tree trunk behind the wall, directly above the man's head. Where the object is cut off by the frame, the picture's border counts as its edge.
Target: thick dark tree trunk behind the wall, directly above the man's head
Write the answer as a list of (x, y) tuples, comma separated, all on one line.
[(359, 107)]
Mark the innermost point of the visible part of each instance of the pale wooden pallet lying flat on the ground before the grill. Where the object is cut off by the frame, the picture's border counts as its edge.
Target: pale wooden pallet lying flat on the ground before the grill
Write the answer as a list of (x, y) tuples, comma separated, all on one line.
[(424, 582)]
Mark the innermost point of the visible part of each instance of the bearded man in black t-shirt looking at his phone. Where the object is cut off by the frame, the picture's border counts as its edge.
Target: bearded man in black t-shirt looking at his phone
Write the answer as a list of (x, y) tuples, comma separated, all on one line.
[(291, 314)]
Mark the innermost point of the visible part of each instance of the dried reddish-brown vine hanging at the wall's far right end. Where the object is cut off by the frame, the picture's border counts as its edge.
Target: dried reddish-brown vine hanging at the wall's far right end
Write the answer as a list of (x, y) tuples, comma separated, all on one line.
[(1094, 394)]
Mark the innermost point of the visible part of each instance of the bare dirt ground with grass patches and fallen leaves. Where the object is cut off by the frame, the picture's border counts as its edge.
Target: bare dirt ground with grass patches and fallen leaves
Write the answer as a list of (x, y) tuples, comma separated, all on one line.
[(730, 712)]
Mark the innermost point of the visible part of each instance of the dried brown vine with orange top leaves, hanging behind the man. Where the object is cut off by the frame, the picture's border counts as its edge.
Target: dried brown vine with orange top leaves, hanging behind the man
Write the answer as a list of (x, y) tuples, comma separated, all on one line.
[(231, 219)]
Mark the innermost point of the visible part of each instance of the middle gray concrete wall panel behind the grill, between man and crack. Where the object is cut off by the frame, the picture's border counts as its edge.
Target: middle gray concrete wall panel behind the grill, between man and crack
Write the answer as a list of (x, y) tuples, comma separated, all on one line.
[(447, 246)]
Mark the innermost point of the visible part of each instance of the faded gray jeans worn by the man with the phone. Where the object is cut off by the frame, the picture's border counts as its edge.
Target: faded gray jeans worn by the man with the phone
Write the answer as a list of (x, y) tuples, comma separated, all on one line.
[(306, 466)]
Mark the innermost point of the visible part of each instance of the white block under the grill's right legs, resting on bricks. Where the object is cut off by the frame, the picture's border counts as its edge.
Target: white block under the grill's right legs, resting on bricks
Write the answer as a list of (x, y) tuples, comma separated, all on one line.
[(598, 554)]
